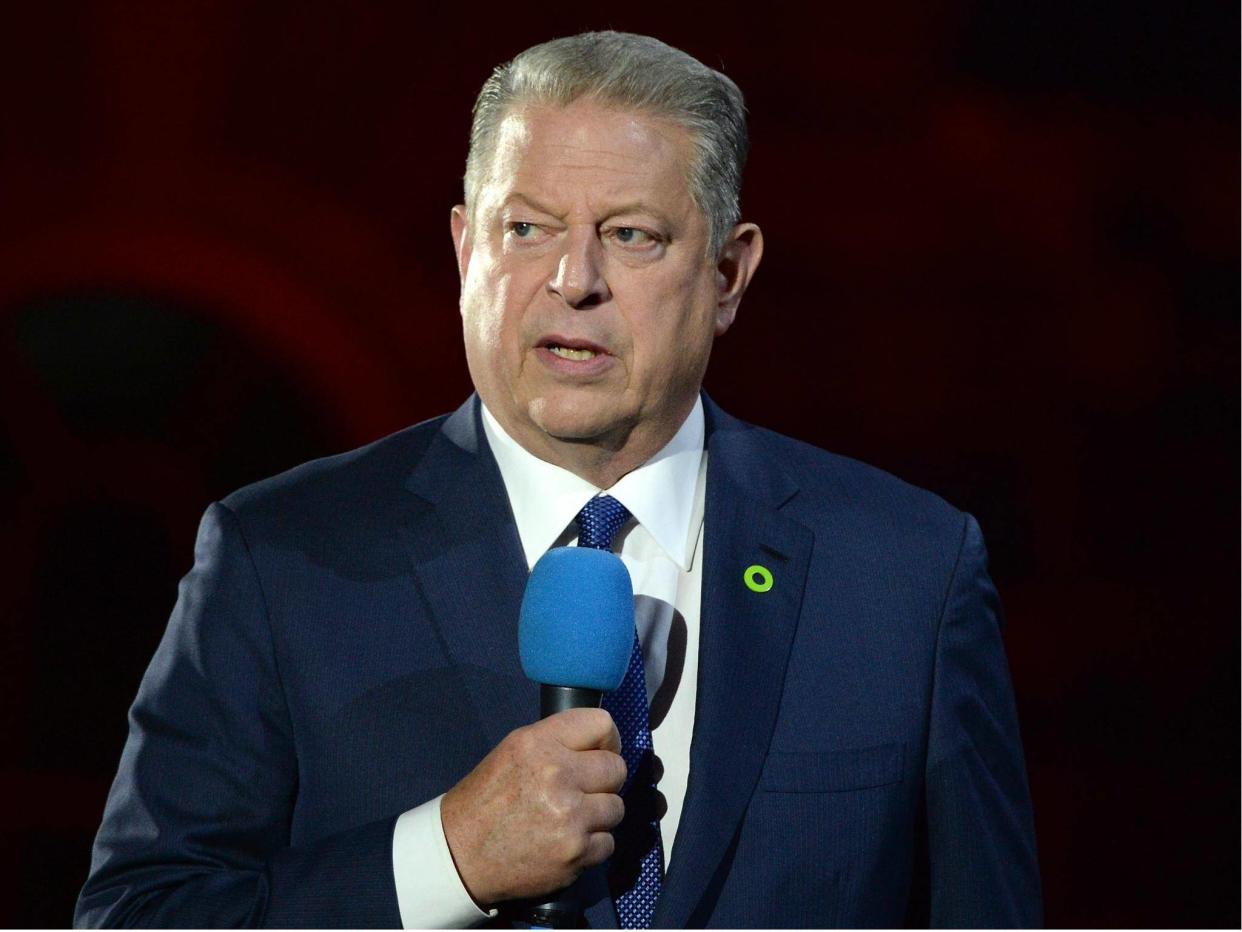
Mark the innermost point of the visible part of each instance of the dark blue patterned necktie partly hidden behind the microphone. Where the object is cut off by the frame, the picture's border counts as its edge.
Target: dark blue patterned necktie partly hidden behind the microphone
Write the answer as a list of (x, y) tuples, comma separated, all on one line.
[(638, 868)]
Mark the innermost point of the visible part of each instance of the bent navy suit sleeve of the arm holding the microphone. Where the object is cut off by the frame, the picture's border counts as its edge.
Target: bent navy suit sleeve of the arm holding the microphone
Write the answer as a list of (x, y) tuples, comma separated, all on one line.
[(198, 823)]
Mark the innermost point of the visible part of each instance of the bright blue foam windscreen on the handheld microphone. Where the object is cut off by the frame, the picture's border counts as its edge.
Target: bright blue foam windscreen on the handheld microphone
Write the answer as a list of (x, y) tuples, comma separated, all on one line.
[(577, 622)]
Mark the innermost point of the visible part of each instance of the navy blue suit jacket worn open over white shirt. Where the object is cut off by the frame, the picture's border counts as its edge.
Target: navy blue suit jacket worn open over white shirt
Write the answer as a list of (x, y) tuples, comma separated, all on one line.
[(346, 649)]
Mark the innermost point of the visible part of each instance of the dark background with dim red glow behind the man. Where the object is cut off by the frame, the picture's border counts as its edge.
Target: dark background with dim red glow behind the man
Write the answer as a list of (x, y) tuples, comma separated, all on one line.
[(1003, 263)]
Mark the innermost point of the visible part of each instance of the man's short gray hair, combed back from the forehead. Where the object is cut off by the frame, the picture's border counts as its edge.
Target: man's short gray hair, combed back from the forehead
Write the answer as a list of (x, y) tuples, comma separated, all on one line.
[(637, 73)]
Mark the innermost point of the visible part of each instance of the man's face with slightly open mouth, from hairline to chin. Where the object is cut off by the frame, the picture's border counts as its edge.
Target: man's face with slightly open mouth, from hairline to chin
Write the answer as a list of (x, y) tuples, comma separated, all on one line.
[(589, 300)]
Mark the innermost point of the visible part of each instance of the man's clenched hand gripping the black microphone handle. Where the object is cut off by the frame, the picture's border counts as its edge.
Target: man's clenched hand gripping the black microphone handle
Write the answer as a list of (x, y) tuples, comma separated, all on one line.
[(537, 811)]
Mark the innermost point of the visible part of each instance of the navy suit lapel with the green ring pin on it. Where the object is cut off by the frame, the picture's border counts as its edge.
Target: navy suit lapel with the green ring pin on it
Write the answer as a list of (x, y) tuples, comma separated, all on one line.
[(745, 642)]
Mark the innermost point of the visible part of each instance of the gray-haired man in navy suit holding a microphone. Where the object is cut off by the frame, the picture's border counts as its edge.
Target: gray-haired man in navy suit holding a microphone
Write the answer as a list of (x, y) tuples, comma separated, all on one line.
[(817, 728)]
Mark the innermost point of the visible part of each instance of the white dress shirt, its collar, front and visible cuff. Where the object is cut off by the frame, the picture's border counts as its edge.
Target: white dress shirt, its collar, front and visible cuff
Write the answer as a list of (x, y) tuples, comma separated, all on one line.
[(663, 547)]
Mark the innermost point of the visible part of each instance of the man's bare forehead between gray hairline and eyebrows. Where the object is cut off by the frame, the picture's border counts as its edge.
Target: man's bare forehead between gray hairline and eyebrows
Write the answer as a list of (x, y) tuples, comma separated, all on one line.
[(591, 151)]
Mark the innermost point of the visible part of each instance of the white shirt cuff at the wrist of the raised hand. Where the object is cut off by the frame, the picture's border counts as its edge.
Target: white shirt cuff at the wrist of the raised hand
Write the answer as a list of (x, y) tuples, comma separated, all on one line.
[(430, 893)]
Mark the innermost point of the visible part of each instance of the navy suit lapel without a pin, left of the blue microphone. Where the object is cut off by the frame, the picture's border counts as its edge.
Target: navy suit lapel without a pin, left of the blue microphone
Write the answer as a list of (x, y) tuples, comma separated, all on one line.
[(471, 571)]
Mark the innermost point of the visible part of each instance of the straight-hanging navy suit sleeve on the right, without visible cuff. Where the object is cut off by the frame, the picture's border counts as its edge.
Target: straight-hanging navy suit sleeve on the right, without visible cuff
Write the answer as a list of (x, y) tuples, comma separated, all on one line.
[(982, 856)]
